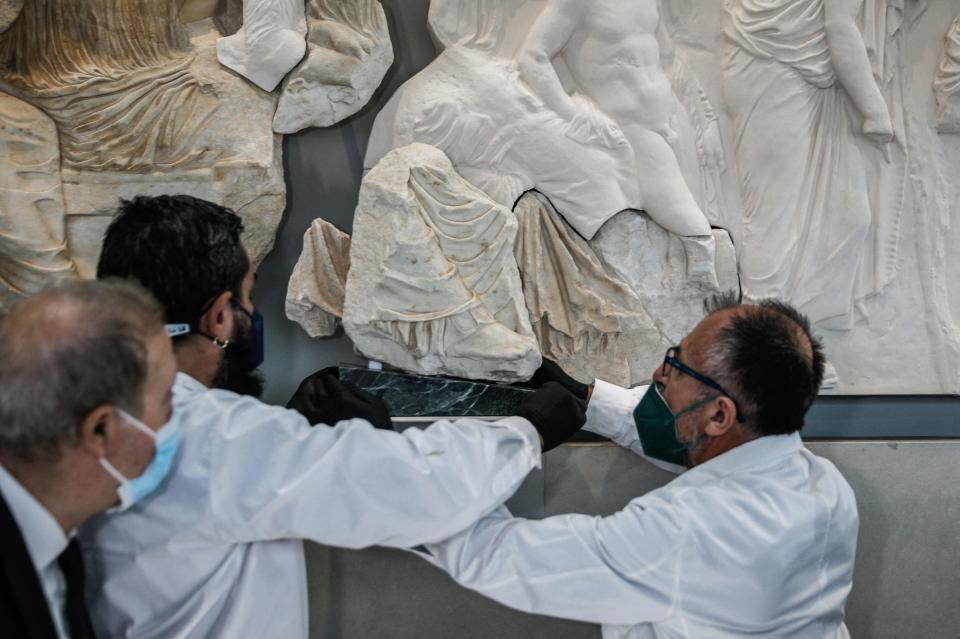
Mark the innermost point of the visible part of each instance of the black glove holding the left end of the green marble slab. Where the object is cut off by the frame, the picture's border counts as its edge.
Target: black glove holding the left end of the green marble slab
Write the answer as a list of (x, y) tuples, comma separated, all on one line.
[(323, 399)]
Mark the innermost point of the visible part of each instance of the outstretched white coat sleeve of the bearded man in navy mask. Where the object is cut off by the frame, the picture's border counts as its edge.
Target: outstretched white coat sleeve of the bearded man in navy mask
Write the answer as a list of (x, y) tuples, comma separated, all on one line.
[(351, 485)]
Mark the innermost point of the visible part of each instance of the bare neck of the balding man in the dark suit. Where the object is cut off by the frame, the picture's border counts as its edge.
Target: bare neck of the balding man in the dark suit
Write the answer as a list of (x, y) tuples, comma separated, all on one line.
[(60, 492)]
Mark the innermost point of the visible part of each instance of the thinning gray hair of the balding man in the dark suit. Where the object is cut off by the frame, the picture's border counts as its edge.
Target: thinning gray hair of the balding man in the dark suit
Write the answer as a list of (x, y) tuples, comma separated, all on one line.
[(67, 351)]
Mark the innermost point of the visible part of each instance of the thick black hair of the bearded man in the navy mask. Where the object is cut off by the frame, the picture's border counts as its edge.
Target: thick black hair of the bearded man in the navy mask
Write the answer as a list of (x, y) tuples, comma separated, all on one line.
[(186, 251)]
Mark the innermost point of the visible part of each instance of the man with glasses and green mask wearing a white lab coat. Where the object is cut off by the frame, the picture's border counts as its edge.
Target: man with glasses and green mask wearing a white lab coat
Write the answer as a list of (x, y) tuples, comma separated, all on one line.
[(757, 538)]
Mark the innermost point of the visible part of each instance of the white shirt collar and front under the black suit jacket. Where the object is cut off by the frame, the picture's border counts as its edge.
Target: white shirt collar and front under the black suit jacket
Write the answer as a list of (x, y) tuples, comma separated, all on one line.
[(45, 540)]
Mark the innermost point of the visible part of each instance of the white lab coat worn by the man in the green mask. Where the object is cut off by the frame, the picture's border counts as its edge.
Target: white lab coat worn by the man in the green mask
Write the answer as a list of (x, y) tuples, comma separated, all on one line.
[(758, 542)]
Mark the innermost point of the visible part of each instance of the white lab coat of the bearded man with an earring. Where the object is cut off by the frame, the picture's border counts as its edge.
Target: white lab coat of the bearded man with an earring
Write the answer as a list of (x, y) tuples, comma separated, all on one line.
[(217, 550)]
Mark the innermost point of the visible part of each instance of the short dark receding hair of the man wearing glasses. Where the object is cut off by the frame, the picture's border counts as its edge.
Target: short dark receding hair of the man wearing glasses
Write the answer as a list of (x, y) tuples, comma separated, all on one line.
[(769, 360)]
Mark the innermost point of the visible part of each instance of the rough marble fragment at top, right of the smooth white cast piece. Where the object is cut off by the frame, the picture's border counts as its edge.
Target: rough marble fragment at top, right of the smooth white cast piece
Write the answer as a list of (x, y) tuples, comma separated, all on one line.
[(348, 52)]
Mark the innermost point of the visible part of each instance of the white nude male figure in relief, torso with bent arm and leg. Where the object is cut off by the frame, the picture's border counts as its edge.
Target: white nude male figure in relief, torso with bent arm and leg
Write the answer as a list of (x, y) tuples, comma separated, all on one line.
[(611, 51)]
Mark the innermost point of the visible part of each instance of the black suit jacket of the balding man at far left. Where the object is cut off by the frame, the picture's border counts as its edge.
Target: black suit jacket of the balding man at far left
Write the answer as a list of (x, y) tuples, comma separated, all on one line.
[(24, 613)]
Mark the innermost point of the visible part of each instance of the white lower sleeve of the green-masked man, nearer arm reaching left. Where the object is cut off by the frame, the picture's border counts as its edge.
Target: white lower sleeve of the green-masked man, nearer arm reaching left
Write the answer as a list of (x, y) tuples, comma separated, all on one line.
[(621, 569)]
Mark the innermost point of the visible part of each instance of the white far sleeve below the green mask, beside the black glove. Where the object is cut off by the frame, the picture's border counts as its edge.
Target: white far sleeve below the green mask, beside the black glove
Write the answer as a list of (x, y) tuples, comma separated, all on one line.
[(610, 414)]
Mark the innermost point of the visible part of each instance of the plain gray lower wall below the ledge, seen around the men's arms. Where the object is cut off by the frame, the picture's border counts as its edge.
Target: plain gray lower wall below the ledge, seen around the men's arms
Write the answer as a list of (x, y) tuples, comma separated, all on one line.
[(906, 581)]
